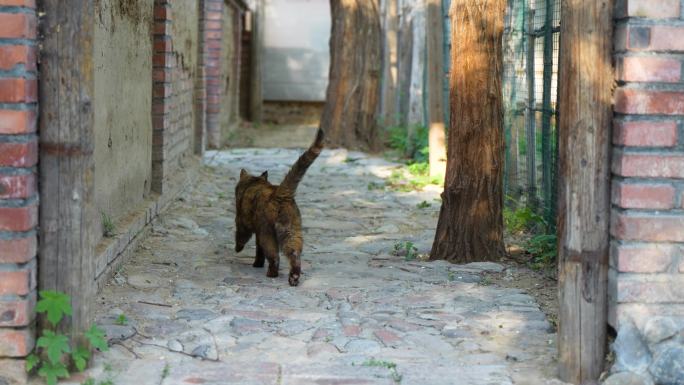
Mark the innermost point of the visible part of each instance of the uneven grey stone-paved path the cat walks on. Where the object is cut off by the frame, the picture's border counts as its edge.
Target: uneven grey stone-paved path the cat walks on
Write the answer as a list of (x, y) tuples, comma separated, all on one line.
[(197, 313)]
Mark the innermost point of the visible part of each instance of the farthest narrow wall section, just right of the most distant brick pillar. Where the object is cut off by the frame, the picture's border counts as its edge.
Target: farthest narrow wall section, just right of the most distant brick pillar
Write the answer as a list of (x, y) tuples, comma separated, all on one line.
[(228, 115)]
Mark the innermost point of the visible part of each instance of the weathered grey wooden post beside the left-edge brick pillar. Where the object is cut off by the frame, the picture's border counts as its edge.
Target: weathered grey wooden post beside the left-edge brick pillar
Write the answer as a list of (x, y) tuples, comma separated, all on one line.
[(67, 211)]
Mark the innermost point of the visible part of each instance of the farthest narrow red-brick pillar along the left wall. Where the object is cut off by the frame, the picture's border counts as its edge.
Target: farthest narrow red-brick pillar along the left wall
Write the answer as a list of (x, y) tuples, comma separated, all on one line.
[(210, 60)]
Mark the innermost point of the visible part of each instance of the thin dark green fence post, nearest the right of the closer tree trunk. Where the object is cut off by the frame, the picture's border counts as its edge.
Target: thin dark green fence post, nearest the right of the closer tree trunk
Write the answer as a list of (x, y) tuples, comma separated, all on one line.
[(530, 116)]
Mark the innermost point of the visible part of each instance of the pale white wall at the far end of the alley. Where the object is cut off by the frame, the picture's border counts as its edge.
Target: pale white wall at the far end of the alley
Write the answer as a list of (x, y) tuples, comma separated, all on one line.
[(296, 55)]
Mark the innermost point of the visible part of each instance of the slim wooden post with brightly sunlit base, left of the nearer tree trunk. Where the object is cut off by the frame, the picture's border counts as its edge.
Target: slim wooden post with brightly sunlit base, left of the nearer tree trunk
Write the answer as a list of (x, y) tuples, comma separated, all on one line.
[(435, 67)]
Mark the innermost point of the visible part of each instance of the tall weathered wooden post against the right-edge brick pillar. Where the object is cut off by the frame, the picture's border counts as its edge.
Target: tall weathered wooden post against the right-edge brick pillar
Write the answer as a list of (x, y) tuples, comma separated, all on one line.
[(584, 186)]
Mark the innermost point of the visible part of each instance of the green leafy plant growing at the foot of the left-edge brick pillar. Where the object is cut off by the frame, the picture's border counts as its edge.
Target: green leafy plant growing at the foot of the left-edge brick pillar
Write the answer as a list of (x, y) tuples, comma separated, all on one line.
[(53, 351)]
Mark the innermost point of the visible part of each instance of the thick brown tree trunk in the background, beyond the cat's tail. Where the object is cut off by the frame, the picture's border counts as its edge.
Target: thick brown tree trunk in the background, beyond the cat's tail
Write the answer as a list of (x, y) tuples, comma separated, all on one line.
[(353, 86)]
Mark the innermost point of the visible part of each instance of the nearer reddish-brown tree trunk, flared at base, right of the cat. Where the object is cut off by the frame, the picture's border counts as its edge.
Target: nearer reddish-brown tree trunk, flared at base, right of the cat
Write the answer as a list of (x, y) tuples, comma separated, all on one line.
[(470, 226)]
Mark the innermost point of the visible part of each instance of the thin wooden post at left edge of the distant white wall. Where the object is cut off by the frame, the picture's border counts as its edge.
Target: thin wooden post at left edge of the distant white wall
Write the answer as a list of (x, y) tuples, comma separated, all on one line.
[(255, 93)]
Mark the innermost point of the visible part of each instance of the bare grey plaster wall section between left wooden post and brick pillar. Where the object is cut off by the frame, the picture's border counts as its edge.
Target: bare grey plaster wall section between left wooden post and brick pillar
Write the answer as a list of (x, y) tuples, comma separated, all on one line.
[(122, 104)]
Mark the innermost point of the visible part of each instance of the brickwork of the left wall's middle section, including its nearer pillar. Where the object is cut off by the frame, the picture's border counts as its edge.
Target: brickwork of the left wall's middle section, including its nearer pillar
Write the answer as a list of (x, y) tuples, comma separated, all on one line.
[(173, 97)]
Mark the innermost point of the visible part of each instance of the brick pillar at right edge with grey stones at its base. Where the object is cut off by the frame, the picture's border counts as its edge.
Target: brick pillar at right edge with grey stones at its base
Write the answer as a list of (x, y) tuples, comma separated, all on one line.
[(647, 255)]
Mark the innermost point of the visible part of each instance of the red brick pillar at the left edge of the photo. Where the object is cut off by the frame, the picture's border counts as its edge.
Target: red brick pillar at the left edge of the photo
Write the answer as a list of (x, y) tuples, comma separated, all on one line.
[(18, 193)]
